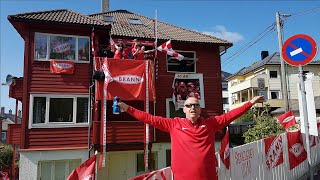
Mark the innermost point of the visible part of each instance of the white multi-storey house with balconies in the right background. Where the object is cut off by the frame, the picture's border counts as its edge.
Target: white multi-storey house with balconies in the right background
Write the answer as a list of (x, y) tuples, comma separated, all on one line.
[(264, 77)]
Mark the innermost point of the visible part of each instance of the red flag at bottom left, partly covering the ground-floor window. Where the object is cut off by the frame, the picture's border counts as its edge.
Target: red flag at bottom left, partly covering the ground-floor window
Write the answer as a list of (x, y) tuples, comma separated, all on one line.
[(86, 170)]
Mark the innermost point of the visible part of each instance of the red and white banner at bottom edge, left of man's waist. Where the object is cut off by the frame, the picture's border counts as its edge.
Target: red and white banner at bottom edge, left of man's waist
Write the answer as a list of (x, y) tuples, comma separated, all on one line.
[(161, 174)]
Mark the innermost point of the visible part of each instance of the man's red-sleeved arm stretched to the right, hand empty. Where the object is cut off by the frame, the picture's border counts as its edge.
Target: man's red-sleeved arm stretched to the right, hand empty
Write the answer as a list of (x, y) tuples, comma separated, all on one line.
[(227, 118)]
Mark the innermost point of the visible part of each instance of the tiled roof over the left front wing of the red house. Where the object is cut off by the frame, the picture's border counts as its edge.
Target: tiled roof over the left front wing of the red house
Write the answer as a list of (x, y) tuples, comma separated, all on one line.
[(61, 16)]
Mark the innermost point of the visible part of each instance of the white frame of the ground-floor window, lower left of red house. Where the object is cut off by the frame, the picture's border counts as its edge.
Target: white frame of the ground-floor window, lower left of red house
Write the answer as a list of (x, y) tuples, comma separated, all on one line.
[(52, 169)]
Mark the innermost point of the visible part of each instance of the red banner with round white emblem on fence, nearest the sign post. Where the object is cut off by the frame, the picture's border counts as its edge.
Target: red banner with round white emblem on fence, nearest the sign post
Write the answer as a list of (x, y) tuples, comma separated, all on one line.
[(297, 153)]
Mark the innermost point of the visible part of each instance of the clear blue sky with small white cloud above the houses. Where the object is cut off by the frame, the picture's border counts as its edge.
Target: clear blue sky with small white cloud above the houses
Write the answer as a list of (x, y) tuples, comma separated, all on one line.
[(236, 21)]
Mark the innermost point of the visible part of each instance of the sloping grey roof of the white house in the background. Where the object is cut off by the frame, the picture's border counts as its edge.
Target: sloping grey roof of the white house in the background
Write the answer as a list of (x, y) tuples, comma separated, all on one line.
[(273, 59)]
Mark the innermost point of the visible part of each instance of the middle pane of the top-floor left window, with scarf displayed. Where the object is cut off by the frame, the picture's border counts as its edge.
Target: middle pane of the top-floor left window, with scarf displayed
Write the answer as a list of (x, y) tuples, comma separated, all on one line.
[(62, 47)]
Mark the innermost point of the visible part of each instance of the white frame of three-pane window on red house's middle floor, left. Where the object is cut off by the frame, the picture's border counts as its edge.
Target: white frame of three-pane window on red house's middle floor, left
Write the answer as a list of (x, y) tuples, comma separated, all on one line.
[(48, 124)]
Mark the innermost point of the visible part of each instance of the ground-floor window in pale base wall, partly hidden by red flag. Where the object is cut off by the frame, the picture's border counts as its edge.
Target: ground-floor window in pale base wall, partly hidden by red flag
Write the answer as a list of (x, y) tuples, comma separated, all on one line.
[(61, 169)]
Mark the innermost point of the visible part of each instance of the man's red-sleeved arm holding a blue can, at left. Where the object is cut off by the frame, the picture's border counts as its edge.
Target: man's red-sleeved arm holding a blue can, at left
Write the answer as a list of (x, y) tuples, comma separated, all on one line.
[(164, 124)]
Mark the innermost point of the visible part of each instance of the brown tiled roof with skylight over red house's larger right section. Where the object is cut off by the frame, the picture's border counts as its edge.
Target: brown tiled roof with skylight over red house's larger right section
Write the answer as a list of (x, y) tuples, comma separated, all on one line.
[(166, 31)]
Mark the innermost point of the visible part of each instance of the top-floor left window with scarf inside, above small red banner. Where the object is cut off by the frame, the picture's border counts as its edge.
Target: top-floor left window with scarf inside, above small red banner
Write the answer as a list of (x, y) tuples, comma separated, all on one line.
[(62, 47)]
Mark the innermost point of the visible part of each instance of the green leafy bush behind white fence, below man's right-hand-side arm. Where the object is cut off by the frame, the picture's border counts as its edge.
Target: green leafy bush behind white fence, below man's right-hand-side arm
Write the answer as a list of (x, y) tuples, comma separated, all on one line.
[(266, 126)]
